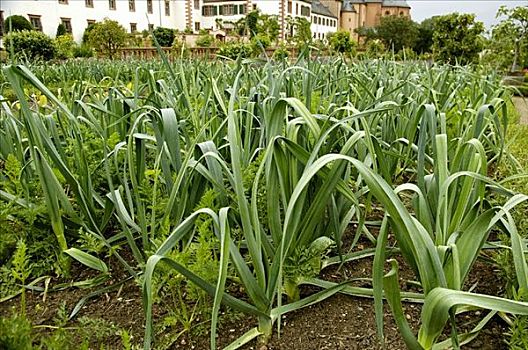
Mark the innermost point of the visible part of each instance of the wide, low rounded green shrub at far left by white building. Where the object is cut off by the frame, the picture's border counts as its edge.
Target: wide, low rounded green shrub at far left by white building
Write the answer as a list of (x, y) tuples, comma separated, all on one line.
[(31, 45)]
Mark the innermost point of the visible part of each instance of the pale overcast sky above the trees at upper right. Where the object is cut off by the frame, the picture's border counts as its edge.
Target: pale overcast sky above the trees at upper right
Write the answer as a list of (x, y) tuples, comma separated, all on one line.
[(484, 9)]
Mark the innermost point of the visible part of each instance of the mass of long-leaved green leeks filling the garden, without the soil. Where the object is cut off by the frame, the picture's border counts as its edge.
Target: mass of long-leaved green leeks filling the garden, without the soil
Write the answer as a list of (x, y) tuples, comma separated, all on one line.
[(327, 141)]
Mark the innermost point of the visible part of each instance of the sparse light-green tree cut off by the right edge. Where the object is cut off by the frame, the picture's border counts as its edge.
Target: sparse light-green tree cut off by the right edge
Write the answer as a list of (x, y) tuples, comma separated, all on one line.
[(514, 29)]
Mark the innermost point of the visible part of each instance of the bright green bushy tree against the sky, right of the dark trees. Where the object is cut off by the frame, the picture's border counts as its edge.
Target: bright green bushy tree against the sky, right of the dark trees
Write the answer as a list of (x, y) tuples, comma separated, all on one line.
[(458, 37)]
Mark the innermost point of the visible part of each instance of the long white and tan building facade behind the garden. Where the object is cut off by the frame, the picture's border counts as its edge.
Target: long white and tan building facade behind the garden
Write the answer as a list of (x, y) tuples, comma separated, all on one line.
[(325, 16)]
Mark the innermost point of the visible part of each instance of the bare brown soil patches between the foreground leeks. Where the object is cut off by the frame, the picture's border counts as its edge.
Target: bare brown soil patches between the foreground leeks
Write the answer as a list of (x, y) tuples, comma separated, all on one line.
[(340, 322)]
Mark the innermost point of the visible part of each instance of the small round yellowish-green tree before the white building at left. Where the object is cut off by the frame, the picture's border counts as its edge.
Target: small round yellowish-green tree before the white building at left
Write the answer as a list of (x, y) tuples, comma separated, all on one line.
[(107, 37)]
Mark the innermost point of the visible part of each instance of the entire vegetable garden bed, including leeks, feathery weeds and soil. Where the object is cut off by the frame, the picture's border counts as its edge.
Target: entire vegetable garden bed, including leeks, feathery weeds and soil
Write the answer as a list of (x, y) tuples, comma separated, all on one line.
[(220, 204)]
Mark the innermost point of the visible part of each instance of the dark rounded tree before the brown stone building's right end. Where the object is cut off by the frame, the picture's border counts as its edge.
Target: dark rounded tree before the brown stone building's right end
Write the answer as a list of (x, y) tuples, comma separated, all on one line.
[(397, 32)]
